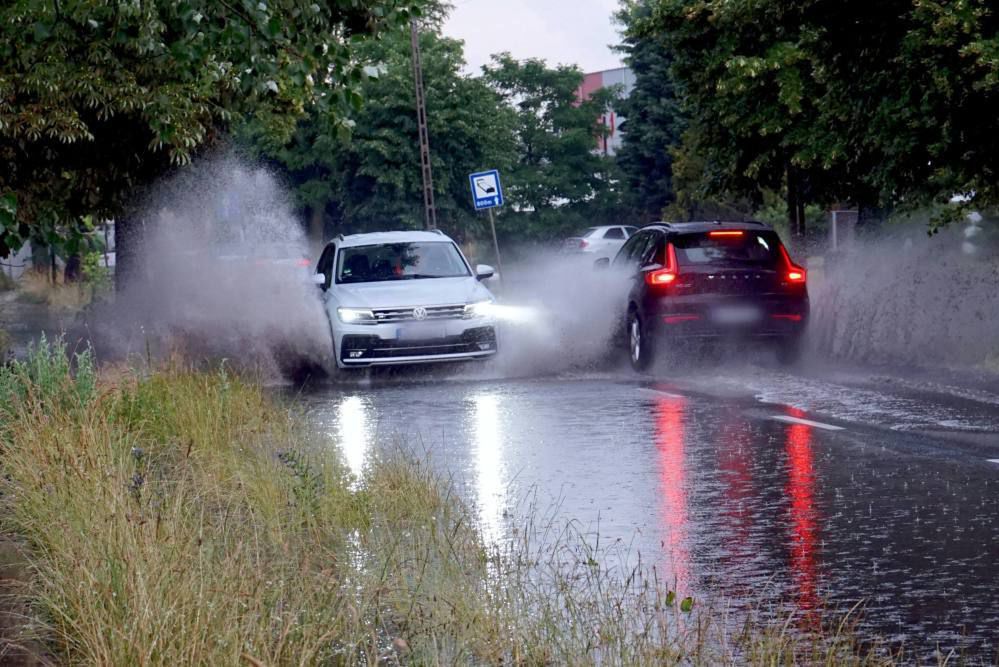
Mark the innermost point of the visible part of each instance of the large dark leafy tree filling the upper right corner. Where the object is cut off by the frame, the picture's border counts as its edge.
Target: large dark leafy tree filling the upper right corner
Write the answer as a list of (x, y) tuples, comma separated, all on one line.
[(881, 103)]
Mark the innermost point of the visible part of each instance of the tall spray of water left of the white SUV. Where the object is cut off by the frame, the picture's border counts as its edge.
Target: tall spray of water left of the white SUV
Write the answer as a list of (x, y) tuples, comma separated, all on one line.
[(223, 273)]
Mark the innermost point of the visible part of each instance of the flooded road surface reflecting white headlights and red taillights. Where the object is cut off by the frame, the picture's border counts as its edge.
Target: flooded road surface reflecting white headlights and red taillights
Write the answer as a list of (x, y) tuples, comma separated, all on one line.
[(741, 484)]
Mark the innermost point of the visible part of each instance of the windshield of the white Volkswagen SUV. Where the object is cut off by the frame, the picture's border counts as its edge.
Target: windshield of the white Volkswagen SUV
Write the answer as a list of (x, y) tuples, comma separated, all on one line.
[(400, 261)]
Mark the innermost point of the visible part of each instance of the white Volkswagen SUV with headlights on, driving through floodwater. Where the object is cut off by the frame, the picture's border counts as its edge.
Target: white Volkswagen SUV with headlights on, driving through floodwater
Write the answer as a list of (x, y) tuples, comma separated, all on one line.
[(404, 298)]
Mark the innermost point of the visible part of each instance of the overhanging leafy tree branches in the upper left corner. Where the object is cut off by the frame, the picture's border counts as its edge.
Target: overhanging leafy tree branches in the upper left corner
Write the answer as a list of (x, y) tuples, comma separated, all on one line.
[(99, 98)]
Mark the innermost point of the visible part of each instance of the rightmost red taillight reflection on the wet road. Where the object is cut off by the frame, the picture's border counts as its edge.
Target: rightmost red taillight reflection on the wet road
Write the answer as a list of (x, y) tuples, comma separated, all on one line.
[(800, 490)]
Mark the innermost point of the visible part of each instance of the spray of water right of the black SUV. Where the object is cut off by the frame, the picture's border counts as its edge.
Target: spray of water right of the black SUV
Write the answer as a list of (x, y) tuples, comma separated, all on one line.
[(905, 298)]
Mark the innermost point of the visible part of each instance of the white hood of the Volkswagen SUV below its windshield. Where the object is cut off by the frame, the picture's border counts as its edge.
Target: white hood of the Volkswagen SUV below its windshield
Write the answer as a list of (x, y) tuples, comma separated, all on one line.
[(406, 293)]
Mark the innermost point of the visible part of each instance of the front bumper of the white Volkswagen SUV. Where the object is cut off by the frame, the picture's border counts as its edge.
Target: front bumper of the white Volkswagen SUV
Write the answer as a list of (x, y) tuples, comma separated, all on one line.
[(381, 345)]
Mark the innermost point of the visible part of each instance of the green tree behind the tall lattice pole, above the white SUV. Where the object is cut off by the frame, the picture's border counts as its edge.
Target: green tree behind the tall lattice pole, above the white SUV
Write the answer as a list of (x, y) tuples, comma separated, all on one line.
[(372, 178)]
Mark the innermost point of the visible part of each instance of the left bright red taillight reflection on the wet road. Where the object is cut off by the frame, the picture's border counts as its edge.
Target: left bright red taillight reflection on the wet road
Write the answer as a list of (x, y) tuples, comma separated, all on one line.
[(670, 446)]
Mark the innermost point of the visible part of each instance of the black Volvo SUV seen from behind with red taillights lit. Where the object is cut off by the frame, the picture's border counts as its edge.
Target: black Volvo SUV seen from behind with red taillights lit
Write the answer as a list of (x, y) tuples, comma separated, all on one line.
[(711, 280)]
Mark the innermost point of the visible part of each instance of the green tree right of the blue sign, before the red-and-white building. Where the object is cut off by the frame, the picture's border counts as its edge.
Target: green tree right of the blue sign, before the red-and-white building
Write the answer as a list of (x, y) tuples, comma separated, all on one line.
[(558, 179)]
